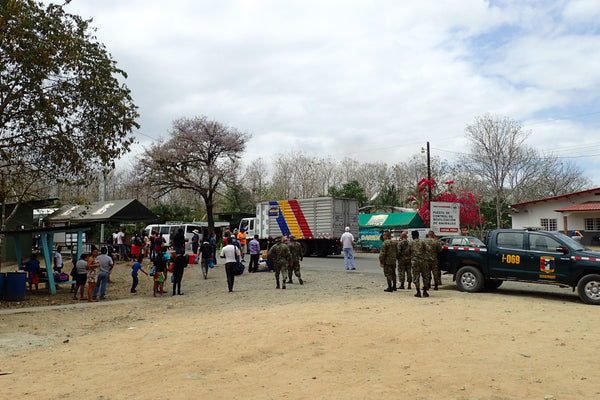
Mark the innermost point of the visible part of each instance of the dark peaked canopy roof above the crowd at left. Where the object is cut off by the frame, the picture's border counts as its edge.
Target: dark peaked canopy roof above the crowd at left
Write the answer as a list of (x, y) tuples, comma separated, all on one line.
[(102, 212)]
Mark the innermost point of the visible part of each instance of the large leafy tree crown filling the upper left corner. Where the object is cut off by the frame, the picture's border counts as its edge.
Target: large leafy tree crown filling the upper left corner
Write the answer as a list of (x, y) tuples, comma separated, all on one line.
[(64, 112)]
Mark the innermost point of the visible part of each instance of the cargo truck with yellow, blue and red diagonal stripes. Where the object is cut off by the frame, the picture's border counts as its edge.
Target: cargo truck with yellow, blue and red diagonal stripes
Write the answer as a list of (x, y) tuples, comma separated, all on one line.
[(316, 223)]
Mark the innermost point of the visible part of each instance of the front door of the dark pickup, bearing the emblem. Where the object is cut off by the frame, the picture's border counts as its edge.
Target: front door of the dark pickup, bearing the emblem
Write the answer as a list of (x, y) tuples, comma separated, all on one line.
[(547, 263)]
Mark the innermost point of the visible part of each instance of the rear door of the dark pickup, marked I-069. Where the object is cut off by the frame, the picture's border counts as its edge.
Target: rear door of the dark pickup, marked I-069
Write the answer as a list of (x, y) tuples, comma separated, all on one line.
[(510, 259)]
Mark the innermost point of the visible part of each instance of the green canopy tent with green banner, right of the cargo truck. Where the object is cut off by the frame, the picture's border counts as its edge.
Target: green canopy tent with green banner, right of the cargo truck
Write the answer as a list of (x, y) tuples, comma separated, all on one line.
[(371, 226)]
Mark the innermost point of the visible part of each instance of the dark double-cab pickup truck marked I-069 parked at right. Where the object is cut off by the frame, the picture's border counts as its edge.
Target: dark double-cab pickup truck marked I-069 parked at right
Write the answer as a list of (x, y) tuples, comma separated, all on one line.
[(528, 256)]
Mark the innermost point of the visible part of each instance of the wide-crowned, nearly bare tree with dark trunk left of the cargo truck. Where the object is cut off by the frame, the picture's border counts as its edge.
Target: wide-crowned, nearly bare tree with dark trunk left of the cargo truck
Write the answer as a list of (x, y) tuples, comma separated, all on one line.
[(201, 156)]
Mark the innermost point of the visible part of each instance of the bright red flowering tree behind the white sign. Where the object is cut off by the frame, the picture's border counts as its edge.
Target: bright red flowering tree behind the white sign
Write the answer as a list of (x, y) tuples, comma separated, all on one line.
[(469, 210)]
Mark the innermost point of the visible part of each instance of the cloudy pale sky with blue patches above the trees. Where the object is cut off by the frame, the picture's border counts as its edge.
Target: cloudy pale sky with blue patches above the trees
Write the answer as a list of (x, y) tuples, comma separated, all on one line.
[(367, 79)]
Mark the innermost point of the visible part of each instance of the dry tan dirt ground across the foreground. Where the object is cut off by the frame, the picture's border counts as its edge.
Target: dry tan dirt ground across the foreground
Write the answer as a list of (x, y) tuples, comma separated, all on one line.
[(338, 336)]
